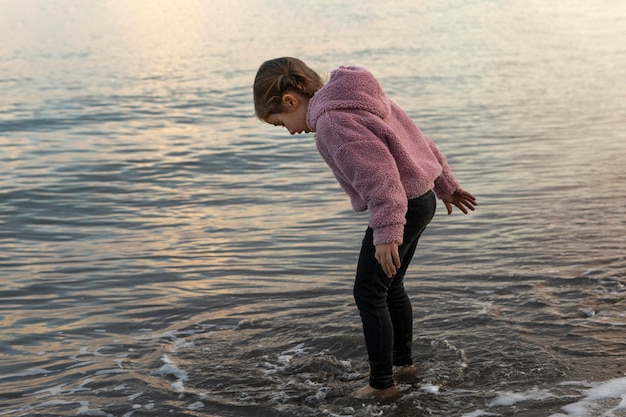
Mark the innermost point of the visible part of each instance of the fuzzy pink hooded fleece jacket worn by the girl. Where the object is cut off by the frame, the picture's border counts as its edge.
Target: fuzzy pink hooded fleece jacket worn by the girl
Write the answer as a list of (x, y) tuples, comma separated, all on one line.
[(377, 153)]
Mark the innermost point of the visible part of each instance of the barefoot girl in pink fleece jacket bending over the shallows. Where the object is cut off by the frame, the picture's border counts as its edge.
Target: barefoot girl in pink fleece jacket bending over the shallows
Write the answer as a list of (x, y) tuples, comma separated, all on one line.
[(385, 165)]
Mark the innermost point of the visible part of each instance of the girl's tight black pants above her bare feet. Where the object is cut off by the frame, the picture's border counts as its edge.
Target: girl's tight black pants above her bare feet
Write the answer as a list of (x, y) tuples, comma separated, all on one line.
[(383, 303)]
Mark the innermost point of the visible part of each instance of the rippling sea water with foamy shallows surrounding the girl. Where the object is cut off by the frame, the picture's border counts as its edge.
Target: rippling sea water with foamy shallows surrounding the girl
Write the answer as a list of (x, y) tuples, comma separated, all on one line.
[(164, 253)]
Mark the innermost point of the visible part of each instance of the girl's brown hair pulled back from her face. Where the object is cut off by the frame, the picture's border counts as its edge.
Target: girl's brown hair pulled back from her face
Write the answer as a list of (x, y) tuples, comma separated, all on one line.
[(279, 76)]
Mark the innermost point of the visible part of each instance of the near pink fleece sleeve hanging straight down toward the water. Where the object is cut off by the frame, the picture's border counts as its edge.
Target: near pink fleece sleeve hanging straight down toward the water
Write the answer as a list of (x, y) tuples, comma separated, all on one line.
[(365, 165)]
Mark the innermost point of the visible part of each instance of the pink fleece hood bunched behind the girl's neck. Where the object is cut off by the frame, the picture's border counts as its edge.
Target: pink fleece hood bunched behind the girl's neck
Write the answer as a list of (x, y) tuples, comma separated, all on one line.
[(349, 88)]
